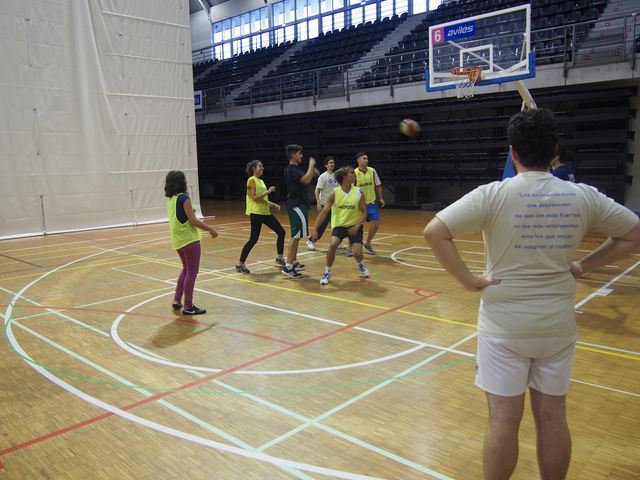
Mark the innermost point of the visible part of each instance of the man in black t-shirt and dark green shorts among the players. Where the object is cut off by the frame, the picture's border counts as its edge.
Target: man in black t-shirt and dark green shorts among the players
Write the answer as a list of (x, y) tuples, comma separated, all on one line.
[(297, 181)]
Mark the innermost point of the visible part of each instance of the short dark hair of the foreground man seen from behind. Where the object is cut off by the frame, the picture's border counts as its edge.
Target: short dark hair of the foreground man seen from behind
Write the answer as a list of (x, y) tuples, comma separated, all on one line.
[(533, 135)]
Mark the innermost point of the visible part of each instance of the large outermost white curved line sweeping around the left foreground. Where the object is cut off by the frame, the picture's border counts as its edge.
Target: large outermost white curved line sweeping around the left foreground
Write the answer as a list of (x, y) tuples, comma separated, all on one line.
[(141, 421)]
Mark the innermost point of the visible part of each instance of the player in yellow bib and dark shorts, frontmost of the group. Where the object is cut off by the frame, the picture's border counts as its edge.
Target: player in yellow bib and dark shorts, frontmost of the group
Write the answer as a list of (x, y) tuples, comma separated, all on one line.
[(348, 212)]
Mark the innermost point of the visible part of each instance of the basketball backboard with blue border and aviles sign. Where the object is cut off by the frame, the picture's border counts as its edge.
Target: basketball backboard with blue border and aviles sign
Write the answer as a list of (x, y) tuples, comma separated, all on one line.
[(498, 42)]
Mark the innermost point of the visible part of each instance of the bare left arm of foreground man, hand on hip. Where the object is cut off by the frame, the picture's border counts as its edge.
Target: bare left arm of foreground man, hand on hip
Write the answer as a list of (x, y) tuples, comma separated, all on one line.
[(441, 241)]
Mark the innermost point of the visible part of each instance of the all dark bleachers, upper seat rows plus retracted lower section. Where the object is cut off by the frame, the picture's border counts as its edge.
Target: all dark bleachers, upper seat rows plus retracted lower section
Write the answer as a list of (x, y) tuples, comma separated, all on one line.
[(462, 144)]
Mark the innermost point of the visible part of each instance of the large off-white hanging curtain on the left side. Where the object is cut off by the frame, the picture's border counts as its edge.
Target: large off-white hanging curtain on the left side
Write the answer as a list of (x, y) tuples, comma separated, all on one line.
[(97, 106)]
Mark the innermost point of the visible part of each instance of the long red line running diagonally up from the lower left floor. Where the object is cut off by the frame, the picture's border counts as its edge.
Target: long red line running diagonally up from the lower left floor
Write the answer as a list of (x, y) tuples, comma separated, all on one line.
[(202, 380)]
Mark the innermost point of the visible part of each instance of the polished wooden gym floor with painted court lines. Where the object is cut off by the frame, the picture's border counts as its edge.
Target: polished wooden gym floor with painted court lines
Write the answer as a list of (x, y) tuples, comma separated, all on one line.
[(281, 378)]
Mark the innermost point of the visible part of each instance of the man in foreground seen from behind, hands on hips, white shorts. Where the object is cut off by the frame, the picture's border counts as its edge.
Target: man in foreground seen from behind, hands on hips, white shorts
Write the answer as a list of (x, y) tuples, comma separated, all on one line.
[(532, 225)]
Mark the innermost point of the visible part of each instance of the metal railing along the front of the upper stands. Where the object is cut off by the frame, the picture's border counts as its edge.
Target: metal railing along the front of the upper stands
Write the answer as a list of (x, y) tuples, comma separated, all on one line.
[(555, 45)]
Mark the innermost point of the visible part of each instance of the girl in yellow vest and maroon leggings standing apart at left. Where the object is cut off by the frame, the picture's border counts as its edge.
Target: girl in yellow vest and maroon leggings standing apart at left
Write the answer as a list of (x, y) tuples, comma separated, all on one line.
[(185, 239)]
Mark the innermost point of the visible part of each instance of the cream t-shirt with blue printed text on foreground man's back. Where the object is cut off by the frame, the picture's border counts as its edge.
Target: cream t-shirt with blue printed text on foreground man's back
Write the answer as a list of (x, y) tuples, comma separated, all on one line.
[(532, 225)]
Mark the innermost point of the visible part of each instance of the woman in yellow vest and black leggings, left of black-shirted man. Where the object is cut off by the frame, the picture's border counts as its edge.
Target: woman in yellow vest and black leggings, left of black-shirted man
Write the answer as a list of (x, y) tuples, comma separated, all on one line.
[(258, 205)]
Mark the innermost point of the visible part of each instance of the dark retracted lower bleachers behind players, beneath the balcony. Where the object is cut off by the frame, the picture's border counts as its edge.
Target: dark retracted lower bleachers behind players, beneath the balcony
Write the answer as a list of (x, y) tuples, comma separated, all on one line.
[(461, 145)]
